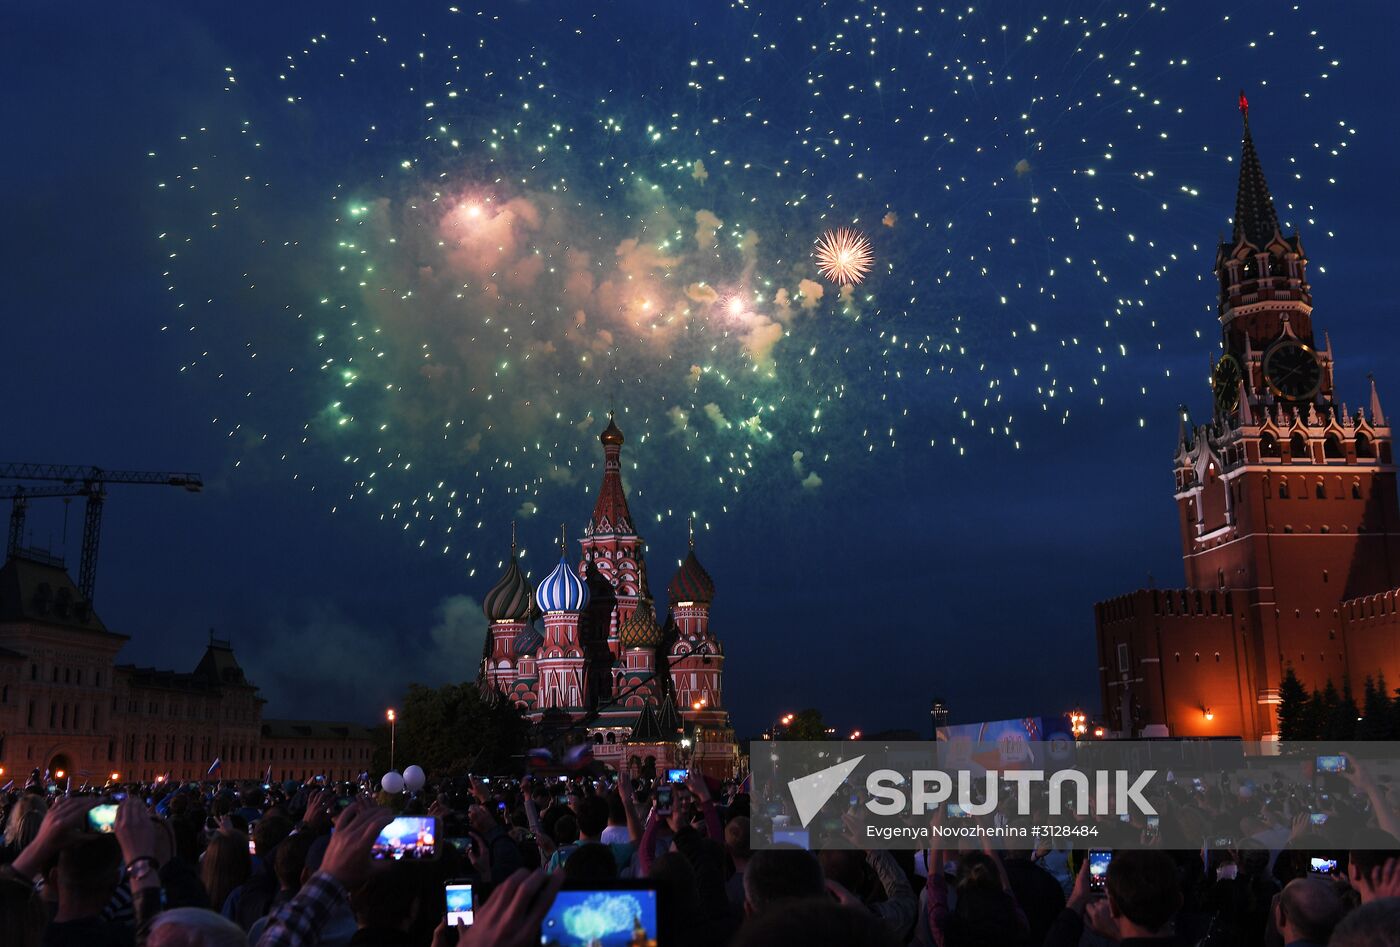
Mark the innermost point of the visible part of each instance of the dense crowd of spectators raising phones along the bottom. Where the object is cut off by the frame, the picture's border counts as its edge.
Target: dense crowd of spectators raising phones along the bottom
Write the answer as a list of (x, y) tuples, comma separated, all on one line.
[(225, 865)]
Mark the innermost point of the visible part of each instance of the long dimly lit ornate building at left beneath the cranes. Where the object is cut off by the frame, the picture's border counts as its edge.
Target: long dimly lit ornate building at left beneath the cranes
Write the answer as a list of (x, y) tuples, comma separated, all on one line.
[(66, 705)]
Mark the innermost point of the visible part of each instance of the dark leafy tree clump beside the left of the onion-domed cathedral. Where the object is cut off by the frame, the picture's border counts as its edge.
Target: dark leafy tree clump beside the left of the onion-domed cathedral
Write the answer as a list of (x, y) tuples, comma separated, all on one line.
[(454, 729)]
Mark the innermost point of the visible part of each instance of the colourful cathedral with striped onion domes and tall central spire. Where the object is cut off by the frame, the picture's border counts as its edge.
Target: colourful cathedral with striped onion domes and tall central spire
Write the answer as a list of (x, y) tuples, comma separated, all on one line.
[(640, 686)]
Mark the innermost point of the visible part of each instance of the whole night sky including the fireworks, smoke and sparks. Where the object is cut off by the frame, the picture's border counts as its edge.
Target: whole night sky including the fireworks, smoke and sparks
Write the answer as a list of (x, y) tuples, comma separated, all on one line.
[(379, 274)]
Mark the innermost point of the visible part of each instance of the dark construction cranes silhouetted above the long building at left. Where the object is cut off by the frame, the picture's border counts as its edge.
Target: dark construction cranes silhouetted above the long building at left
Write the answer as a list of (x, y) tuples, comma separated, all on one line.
[(89, 483)]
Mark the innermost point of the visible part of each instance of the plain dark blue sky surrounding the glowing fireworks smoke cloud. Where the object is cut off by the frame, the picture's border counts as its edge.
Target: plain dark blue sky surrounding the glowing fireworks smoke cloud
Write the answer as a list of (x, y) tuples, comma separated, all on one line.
[(909, 572)]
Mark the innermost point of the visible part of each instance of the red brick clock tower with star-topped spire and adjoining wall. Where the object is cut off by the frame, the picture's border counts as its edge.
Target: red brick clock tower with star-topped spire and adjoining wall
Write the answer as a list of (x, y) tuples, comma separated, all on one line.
[(1287, 509)]
